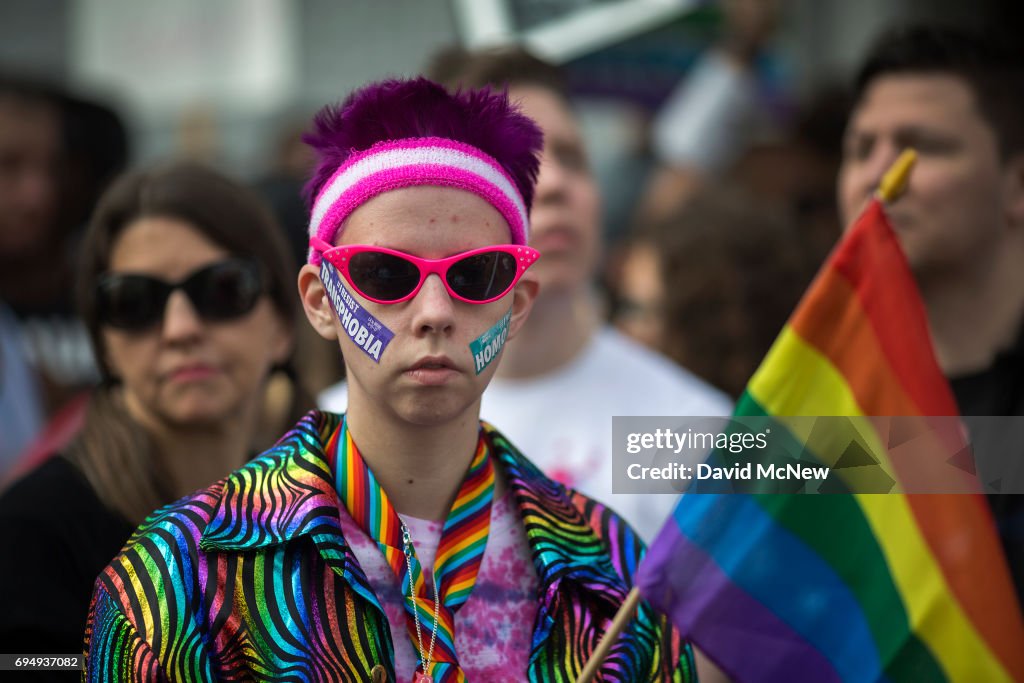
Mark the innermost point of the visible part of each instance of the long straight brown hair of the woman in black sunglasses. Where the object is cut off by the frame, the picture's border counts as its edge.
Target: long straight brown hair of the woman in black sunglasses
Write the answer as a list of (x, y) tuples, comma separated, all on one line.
[(113, 451)]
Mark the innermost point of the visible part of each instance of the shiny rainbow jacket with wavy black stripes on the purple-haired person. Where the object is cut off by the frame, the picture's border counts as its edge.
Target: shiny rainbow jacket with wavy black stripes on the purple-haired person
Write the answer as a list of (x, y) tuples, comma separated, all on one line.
[(252, 580)]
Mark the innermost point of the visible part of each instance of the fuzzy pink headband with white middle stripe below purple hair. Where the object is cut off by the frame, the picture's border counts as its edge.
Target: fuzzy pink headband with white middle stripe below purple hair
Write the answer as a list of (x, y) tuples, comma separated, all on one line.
[(418, 161)]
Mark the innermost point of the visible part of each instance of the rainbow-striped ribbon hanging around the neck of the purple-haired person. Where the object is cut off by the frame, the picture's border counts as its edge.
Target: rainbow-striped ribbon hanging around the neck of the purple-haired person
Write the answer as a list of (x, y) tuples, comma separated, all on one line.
[(459, 552)]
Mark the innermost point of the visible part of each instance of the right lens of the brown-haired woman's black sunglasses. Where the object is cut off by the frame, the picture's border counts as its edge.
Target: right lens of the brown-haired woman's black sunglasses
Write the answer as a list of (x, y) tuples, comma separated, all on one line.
[(226, 290)]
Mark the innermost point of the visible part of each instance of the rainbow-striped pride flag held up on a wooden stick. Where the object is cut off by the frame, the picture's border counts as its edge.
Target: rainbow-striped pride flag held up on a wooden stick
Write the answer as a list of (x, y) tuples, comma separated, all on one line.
[(855, 587)]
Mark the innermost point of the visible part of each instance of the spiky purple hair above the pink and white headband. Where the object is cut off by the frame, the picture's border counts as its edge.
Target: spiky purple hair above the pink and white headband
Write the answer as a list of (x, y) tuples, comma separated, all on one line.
[(396, 110)]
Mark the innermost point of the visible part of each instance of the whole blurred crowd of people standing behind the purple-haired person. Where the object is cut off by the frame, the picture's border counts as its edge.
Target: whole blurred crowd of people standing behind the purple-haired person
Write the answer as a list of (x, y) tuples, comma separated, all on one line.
[(670, 317)]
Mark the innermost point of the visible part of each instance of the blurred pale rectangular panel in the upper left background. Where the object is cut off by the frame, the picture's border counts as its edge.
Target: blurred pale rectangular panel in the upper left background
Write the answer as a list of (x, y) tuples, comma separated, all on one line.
[(160, 57)]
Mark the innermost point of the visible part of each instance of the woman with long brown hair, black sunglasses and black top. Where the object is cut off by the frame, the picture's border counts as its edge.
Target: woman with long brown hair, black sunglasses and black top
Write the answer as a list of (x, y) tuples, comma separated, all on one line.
[(186, 288)]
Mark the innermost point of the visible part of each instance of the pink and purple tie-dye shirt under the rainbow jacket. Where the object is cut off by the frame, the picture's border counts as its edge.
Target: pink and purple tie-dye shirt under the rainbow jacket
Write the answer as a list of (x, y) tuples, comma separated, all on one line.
[(494, 628)]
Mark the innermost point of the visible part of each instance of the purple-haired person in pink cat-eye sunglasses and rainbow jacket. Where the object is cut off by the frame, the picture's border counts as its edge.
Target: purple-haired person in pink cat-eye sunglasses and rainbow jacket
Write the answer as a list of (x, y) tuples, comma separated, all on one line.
[(405, 540)]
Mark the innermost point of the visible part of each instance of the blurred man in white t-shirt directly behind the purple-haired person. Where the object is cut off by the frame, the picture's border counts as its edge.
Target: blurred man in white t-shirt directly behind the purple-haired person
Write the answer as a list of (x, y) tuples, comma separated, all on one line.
[(568, 374)]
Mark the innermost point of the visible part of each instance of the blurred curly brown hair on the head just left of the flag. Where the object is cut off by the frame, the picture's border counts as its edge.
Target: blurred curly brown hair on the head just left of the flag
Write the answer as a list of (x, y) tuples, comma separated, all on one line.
[(732, 271)]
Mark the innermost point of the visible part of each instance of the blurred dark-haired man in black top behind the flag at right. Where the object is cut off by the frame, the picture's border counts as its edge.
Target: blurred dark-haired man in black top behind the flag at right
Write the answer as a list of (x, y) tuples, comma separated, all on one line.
[(958, 99)]
